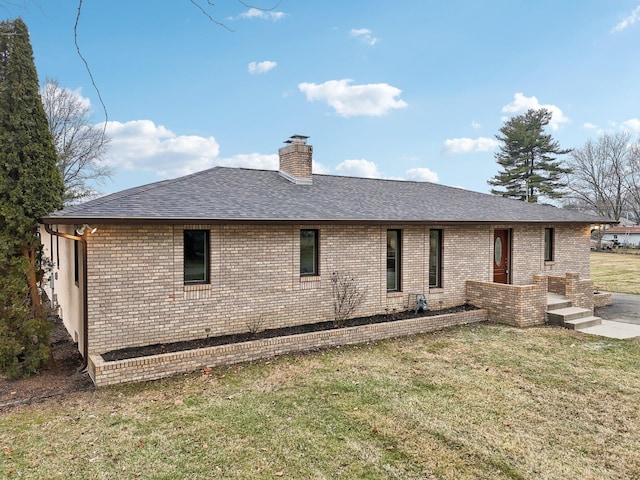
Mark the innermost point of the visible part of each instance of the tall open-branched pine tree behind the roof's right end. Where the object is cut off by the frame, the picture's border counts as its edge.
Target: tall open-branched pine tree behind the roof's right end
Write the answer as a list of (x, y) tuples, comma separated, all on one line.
[(527, 157)]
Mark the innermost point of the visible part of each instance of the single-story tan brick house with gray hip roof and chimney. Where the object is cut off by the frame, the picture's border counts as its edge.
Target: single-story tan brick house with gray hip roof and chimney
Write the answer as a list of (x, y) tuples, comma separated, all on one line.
[(210, 253)]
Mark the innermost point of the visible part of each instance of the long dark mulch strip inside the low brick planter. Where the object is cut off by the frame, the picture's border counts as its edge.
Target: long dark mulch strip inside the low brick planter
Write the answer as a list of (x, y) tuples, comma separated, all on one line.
[(136, 352)]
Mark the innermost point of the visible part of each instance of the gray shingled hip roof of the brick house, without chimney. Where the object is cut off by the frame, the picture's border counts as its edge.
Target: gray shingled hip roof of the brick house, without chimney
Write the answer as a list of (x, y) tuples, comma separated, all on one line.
[(235, 194)]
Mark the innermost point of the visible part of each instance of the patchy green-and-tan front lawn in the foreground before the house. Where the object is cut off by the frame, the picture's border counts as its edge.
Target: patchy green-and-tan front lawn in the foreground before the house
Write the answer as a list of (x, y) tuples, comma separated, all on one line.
[(480, 401)]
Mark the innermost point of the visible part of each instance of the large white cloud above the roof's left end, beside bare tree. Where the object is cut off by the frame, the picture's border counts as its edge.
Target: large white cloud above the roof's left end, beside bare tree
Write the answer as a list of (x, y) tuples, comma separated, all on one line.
[(143, 145)]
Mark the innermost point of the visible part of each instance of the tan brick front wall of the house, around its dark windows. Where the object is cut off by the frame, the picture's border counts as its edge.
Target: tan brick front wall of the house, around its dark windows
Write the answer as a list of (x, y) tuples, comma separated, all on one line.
[(137, 296)]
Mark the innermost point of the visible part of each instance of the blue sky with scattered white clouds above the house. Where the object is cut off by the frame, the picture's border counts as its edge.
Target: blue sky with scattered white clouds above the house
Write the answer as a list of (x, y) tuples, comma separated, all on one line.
[(404, 89)]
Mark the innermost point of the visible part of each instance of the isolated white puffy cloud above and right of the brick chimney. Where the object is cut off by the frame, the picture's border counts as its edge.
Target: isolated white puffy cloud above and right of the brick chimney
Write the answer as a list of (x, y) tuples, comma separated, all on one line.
[(351, 100)]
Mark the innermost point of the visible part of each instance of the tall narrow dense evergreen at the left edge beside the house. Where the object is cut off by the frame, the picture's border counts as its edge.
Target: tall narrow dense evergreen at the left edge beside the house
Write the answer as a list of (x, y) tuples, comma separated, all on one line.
[(30, 187)]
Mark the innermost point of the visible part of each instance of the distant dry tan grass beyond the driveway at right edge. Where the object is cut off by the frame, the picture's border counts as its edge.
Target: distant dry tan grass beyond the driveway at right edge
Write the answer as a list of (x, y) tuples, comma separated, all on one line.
[(616, 272)]
